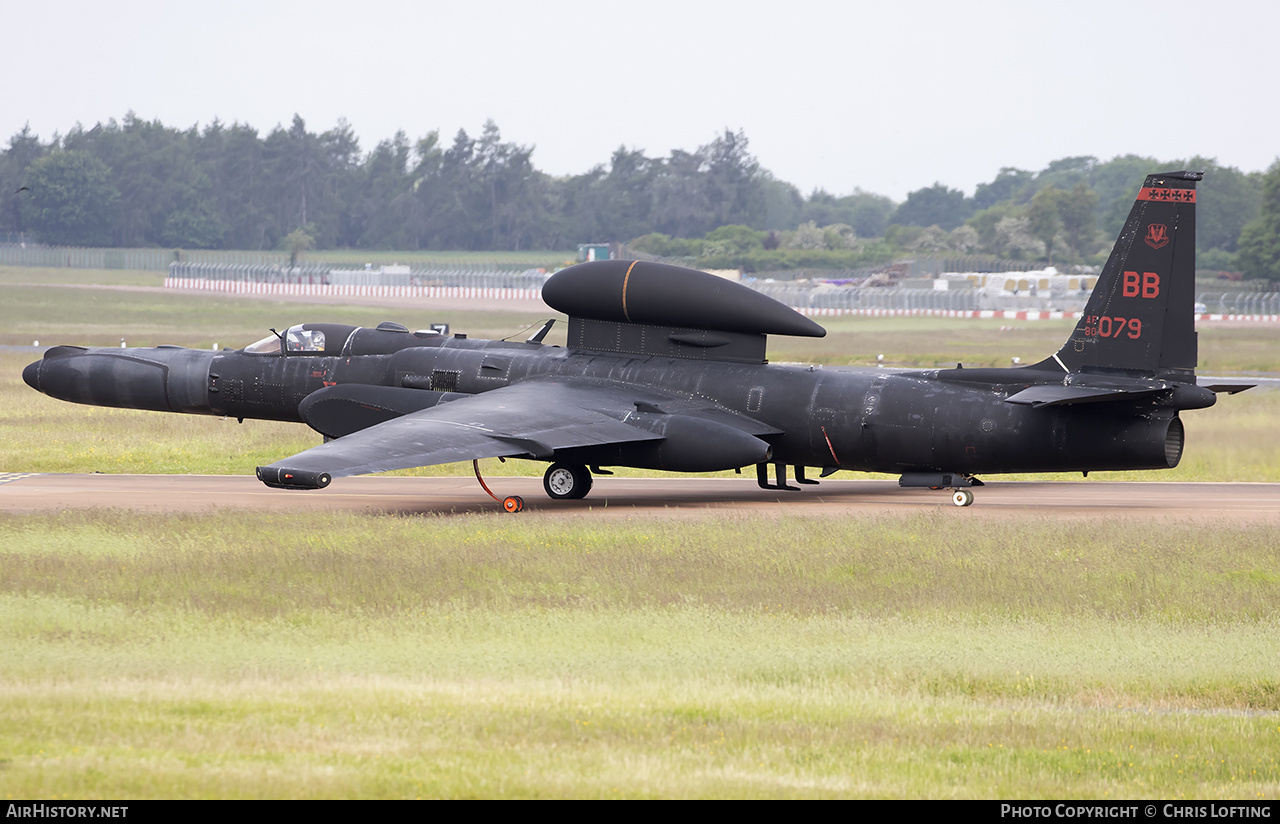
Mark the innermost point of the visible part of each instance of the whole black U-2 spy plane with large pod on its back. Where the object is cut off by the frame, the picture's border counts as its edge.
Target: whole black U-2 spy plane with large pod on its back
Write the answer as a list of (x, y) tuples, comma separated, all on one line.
[(666, 369)]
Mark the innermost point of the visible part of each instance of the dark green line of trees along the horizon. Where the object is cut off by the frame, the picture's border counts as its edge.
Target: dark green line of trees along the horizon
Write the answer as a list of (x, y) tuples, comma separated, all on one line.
[(138, 184)]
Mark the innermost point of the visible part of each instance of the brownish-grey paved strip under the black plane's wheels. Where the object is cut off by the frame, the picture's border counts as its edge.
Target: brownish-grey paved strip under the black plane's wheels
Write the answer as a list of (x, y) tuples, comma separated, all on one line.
[(659, 497)]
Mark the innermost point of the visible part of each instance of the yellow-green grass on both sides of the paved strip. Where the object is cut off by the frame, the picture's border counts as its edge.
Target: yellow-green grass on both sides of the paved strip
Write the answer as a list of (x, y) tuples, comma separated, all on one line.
[(246, 654)]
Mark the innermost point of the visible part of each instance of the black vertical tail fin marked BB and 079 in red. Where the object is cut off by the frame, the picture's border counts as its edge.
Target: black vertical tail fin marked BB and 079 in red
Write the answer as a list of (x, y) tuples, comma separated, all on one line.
[(1141, 315)]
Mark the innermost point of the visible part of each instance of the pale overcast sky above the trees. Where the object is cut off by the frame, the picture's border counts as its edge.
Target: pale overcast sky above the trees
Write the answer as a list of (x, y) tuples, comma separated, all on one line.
[(889, 97)]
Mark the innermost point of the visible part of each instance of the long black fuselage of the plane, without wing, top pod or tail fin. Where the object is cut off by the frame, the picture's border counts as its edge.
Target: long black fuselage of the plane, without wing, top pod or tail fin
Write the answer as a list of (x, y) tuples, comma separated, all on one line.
[(849, 419)]
